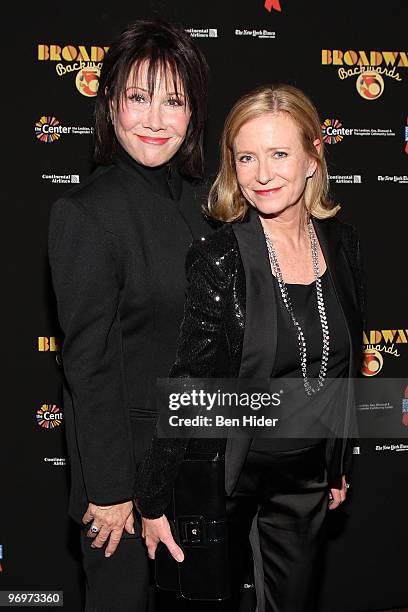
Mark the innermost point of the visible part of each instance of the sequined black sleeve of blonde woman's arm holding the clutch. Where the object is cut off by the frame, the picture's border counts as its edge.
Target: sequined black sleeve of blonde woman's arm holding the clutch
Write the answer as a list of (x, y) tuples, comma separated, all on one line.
[(197, 347)]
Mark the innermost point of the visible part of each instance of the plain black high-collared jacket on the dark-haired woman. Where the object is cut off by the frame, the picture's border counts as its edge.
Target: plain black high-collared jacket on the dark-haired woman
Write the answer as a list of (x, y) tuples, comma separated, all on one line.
[(117, 252)]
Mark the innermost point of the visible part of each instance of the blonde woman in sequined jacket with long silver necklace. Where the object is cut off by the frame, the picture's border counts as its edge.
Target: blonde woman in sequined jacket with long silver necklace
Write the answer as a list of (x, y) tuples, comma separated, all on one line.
[(275, 293)]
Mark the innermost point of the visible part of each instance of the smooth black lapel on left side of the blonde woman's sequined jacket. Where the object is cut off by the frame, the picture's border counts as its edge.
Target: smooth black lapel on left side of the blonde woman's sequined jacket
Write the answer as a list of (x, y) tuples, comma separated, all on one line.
[(259, 342)]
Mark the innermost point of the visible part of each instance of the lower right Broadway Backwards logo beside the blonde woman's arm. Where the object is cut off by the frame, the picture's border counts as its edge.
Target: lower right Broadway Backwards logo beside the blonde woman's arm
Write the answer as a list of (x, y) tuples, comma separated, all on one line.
[(378, 343)]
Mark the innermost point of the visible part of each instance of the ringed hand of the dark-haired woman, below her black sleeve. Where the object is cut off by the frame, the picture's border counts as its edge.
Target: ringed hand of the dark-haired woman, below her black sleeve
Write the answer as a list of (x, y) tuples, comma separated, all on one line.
[(110, 521)]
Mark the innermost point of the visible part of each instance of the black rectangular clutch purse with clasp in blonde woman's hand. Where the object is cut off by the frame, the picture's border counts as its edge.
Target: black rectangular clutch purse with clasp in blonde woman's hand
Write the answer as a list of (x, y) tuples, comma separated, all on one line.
[(197, 518)]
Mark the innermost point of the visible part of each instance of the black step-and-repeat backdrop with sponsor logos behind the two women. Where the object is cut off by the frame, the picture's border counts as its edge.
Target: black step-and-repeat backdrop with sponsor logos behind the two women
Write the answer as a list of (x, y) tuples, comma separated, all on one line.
[(246, 45)]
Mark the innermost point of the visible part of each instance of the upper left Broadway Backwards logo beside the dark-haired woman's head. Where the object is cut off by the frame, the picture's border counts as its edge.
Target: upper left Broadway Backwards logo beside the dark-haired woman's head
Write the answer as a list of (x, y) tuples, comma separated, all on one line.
[(84, 62)]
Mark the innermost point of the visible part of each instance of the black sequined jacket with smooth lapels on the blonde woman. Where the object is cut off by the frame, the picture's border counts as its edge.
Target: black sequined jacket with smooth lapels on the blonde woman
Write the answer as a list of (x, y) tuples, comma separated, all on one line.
[(229, 330)]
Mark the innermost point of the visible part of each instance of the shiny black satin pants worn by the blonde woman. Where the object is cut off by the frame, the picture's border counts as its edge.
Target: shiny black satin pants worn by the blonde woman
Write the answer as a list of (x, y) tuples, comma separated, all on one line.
[(284, 496)]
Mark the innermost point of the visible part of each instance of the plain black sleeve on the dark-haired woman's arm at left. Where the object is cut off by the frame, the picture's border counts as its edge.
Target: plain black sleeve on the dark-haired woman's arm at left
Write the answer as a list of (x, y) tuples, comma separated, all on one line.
[(86, 283)]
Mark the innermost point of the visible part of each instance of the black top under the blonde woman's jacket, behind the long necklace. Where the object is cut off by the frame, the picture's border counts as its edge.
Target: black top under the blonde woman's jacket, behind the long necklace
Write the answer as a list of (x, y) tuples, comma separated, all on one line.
[(287, 362)]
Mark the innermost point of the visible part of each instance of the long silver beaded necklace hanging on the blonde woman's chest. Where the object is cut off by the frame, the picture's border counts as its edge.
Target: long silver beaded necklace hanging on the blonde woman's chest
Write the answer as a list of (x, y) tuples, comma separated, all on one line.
[(320, 305)]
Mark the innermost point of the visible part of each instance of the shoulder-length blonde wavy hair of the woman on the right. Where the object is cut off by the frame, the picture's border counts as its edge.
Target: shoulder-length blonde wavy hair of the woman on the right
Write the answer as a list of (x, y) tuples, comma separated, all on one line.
[(225, 200)]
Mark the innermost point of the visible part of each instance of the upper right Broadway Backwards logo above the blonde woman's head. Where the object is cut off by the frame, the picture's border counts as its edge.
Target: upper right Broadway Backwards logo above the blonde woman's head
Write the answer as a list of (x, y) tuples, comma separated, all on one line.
[(370, 68)]
